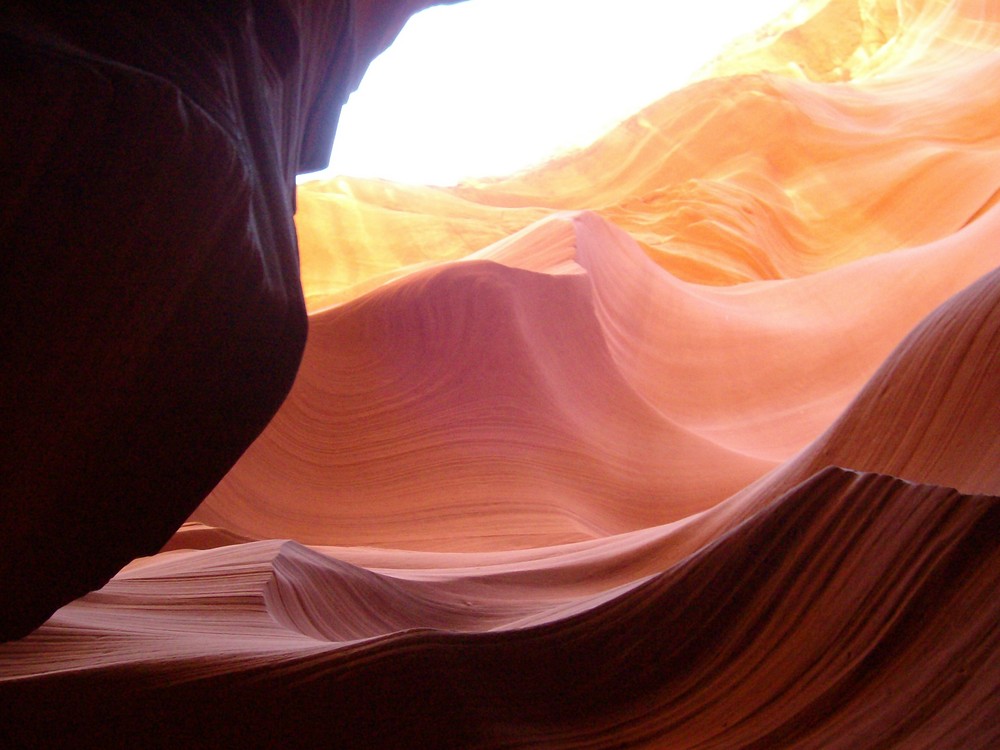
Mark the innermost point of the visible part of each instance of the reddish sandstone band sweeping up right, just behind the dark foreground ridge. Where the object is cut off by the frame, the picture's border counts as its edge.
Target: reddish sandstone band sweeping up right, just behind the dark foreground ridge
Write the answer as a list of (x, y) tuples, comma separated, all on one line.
[(889, 438)]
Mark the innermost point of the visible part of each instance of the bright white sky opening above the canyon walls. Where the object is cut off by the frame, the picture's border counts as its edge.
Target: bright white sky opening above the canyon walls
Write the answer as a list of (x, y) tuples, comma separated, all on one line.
[(491, 87)]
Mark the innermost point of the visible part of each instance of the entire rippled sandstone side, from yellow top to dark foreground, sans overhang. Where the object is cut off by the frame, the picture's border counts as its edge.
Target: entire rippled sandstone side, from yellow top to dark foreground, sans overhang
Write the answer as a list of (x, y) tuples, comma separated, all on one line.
[(689, 439)]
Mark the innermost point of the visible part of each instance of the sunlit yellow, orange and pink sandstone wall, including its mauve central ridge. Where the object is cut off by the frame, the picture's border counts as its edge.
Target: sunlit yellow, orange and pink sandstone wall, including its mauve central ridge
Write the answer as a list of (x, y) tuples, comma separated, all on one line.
[(664, 316)]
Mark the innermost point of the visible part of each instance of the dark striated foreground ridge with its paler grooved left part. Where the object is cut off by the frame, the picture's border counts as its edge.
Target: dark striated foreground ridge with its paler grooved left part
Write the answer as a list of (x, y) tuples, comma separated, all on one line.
[(854, 608)]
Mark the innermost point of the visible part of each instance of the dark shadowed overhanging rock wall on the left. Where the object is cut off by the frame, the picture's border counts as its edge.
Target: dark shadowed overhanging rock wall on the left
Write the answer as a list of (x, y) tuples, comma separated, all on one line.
[(152, 311)]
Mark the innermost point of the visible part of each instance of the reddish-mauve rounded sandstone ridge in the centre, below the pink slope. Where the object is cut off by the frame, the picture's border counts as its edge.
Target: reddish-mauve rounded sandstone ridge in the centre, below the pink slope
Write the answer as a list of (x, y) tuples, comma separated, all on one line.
[(492, 395)]
